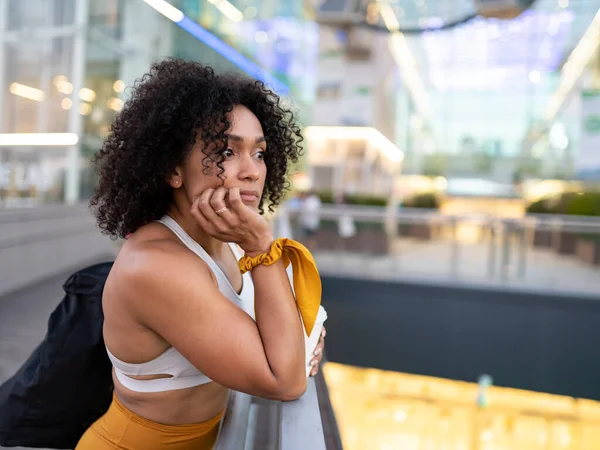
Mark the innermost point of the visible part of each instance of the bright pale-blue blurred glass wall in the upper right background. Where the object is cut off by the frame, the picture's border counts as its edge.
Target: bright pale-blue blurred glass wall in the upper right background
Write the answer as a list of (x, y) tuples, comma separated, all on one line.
[(488, 85)]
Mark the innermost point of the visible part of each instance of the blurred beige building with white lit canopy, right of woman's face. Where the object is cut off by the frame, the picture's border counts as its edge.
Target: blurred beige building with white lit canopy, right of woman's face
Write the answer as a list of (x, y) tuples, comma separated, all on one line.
[(354, 116)]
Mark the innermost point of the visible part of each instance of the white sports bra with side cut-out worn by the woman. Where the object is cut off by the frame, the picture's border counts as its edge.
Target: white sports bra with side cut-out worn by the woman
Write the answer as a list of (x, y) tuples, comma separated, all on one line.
[(171, 362)]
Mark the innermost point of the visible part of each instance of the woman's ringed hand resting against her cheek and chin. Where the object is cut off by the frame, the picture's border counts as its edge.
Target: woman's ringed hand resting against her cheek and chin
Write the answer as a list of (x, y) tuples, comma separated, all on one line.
[(223, 215)]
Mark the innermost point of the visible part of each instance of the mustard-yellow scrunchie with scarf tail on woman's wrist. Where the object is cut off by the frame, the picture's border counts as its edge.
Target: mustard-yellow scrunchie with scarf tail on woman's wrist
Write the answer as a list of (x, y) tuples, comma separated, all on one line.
[(307, 282)]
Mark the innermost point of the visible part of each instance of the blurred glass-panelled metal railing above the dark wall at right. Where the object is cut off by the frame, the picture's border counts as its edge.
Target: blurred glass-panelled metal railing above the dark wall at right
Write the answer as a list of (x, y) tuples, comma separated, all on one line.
[(548, 252)]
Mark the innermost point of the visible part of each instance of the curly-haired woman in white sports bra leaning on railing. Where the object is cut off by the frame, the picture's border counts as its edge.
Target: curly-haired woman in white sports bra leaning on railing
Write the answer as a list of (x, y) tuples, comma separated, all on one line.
[(189, 165)]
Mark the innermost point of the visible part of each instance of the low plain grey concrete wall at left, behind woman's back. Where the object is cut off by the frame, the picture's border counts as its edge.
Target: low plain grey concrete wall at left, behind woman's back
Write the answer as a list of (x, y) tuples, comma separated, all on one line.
[(40, 242)]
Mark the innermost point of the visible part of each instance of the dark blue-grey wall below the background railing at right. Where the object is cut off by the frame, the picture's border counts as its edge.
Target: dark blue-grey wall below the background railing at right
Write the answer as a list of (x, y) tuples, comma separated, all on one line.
[(546, 343)]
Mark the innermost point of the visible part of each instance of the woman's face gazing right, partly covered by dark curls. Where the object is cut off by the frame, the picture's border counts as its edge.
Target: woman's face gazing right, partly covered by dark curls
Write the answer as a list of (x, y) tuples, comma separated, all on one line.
[(244, 165)]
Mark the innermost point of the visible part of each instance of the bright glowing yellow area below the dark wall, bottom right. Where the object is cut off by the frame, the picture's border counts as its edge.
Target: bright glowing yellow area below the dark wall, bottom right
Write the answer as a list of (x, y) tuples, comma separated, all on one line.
[(376, 409)]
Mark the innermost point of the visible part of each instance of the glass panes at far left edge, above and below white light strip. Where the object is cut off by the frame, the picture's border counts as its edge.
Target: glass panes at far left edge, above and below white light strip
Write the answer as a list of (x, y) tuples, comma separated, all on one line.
[(36, 58)]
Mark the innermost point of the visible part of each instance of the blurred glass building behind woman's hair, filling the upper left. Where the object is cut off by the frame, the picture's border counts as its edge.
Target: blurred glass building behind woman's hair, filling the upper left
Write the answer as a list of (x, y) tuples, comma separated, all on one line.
[(65, 66)]
